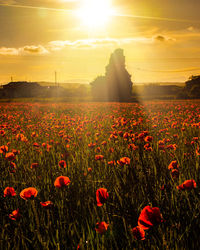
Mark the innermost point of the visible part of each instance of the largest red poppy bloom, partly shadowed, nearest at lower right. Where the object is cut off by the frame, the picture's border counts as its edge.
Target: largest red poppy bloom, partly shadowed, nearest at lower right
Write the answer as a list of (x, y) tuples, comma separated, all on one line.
[(149, 217)]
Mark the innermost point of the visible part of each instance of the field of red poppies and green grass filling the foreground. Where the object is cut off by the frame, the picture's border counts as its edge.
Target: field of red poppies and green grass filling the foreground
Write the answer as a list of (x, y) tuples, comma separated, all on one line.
[(100, 175)]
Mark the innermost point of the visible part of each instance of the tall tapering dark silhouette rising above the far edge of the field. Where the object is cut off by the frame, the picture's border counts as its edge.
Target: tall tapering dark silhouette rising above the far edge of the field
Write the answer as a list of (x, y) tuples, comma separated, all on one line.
[(116, 85)]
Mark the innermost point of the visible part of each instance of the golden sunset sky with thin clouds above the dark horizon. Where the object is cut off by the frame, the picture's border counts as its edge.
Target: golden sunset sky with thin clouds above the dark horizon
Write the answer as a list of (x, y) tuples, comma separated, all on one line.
[(160, 39)]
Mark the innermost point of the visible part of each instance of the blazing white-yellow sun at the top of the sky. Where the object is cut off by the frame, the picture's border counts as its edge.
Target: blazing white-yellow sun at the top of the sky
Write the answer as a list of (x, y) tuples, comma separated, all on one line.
[(95, 13)]
